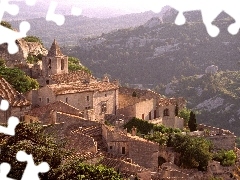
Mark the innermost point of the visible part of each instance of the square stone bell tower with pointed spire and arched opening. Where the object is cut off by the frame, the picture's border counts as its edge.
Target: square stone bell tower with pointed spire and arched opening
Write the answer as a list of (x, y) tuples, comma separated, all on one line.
[(55, 62)]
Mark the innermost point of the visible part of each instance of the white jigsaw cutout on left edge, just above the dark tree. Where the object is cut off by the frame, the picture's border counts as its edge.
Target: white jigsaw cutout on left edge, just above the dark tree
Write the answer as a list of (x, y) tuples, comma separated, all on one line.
[(12, 123)]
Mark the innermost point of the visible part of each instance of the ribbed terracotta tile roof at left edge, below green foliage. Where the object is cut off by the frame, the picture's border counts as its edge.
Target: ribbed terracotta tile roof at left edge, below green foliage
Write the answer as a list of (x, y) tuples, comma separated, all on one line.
[(9, 93)]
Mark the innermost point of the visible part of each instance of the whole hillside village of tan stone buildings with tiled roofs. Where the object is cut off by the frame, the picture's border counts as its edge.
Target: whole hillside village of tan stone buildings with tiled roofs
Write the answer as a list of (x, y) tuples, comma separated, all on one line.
[(91, 113)]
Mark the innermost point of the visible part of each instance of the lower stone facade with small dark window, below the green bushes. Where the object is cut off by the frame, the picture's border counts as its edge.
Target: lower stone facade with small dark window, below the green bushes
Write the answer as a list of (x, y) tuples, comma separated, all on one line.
[(142, 152)]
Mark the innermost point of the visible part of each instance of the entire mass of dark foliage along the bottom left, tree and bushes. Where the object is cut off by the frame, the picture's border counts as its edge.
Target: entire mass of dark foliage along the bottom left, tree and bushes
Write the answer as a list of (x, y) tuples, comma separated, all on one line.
[(33, 139)]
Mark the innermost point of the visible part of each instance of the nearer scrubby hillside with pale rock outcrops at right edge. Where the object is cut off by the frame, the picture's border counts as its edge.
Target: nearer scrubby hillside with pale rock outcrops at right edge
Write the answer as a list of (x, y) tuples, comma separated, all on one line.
[(214, 96)]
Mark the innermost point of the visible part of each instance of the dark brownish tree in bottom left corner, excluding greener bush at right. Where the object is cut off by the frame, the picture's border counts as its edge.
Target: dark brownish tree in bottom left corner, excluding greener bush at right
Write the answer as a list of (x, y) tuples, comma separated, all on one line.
[(31, 139)]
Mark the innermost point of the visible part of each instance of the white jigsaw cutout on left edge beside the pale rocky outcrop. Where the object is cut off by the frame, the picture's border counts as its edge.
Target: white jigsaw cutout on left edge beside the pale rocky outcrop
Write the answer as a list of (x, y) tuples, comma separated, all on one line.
[(9, 36)]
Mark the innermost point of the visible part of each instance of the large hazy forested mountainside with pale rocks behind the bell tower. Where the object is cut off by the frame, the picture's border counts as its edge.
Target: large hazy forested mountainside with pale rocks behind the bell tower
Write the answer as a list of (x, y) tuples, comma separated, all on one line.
[(158, 50)]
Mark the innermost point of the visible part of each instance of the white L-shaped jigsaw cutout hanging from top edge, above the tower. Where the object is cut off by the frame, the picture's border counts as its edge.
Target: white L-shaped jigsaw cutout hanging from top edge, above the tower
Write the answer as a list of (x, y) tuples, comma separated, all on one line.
[(51, 16)]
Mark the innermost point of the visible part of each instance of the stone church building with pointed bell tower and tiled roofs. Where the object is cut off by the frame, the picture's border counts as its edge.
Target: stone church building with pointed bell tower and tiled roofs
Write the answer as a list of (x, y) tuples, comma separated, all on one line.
[(78, 89)]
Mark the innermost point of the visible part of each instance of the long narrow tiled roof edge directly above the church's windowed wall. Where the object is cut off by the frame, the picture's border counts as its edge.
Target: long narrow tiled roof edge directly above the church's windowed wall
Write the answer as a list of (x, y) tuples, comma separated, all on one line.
[(76, 87)]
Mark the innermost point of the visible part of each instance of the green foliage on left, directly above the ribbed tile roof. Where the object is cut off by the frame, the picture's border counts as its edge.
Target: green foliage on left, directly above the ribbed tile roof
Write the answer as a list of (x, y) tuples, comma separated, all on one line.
[(17, 78)]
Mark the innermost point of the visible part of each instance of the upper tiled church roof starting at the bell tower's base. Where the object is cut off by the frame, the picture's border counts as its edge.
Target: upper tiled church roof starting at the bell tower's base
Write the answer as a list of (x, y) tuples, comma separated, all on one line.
[(71, 77)]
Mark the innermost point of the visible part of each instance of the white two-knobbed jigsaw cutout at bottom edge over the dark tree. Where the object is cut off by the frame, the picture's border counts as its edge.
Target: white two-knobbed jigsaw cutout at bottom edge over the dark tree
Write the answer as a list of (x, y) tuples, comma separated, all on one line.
[(31, 171)]
